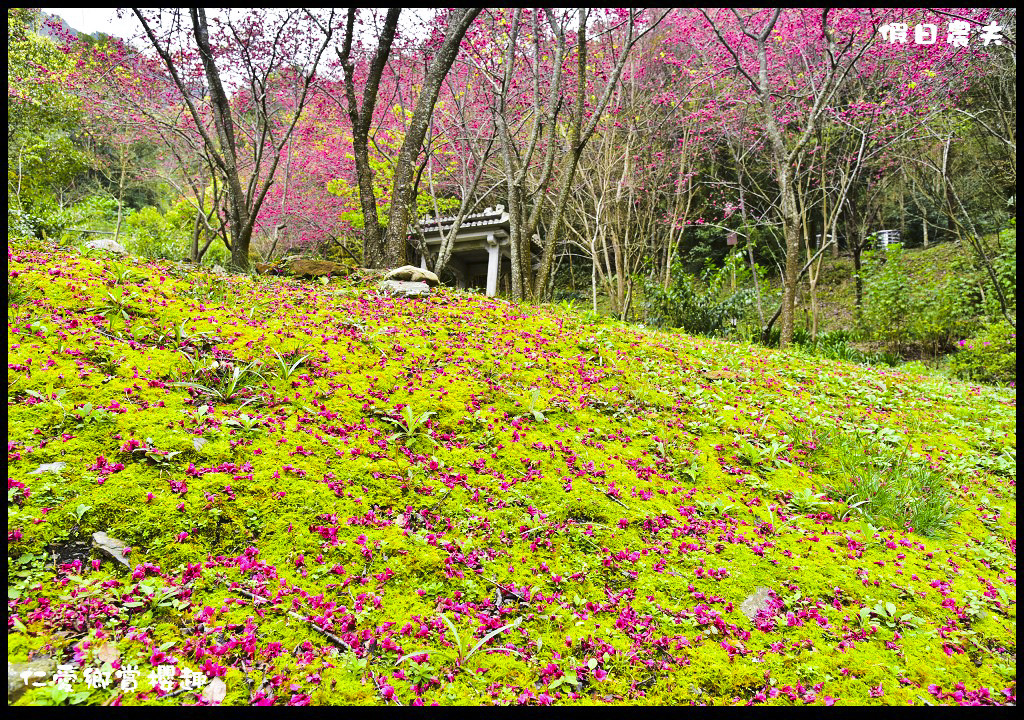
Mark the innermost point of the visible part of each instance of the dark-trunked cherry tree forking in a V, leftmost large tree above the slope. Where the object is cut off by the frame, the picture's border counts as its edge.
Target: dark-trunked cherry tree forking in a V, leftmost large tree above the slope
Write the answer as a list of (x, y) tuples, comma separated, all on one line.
[(249, 135)]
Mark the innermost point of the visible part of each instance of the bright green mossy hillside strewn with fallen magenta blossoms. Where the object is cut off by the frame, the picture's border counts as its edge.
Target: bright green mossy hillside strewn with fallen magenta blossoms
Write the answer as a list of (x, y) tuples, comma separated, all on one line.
[(592, 514)]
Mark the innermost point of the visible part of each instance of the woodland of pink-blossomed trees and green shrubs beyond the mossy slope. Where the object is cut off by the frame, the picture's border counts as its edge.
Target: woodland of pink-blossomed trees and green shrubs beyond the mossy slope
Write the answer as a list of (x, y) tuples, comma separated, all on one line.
[(724, 173)]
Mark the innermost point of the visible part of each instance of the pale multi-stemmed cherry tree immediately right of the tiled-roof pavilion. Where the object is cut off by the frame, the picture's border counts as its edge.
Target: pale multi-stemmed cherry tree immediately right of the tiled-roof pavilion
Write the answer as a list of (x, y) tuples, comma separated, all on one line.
[(524, 59)]
